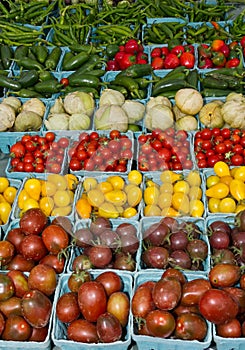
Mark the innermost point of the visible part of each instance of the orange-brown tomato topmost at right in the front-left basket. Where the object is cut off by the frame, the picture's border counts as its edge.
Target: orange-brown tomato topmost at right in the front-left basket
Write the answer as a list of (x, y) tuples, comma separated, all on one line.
[(44, 278)]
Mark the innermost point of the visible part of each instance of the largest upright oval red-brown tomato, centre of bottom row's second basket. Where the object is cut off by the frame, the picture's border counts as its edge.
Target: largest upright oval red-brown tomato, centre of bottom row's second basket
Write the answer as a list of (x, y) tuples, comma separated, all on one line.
[(92, 300)]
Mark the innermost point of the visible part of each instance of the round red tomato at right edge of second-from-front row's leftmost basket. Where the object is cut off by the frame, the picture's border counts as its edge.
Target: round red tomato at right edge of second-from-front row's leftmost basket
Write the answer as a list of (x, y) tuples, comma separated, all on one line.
[(55, 238)]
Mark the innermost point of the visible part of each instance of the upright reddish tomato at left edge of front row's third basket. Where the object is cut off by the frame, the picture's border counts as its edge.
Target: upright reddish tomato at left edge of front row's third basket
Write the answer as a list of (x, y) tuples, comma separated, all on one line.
[(142, 302)]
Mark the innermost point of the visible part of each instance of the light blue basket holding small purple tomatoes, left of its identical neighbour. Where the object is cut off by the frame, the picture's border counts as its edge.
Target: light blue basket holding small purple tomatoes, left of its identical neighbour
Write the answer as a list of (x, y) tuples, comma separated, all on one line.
[(76, 251)]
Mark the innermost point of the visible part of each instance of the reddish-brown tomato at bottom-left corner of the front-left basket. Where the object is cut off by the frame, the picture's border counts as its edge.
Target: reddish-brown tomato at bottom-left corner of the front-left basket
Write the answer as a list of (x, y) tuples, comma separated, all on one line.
[(16, 329)]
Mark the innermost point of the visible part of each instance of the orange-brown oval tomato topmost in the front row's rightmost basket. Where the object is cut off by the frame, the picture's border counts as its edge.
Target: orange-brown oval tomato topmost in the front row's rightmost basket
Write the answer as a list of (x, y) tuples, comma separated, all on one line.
[(224, 275)]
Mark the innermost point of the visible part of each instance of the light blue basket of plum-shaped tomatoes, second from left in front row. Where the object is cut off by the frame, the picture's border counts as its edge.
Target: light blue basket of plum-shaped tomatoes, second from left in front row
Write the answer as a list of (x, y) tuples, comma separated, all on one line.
[(59, 335)]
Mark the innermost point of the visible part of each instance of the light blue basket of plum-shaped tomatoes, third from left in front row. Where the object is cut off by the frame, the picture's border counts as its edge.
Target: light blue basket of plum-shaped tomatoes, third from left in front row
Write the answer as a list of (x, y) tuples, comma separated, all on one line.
[(147, 342)]
